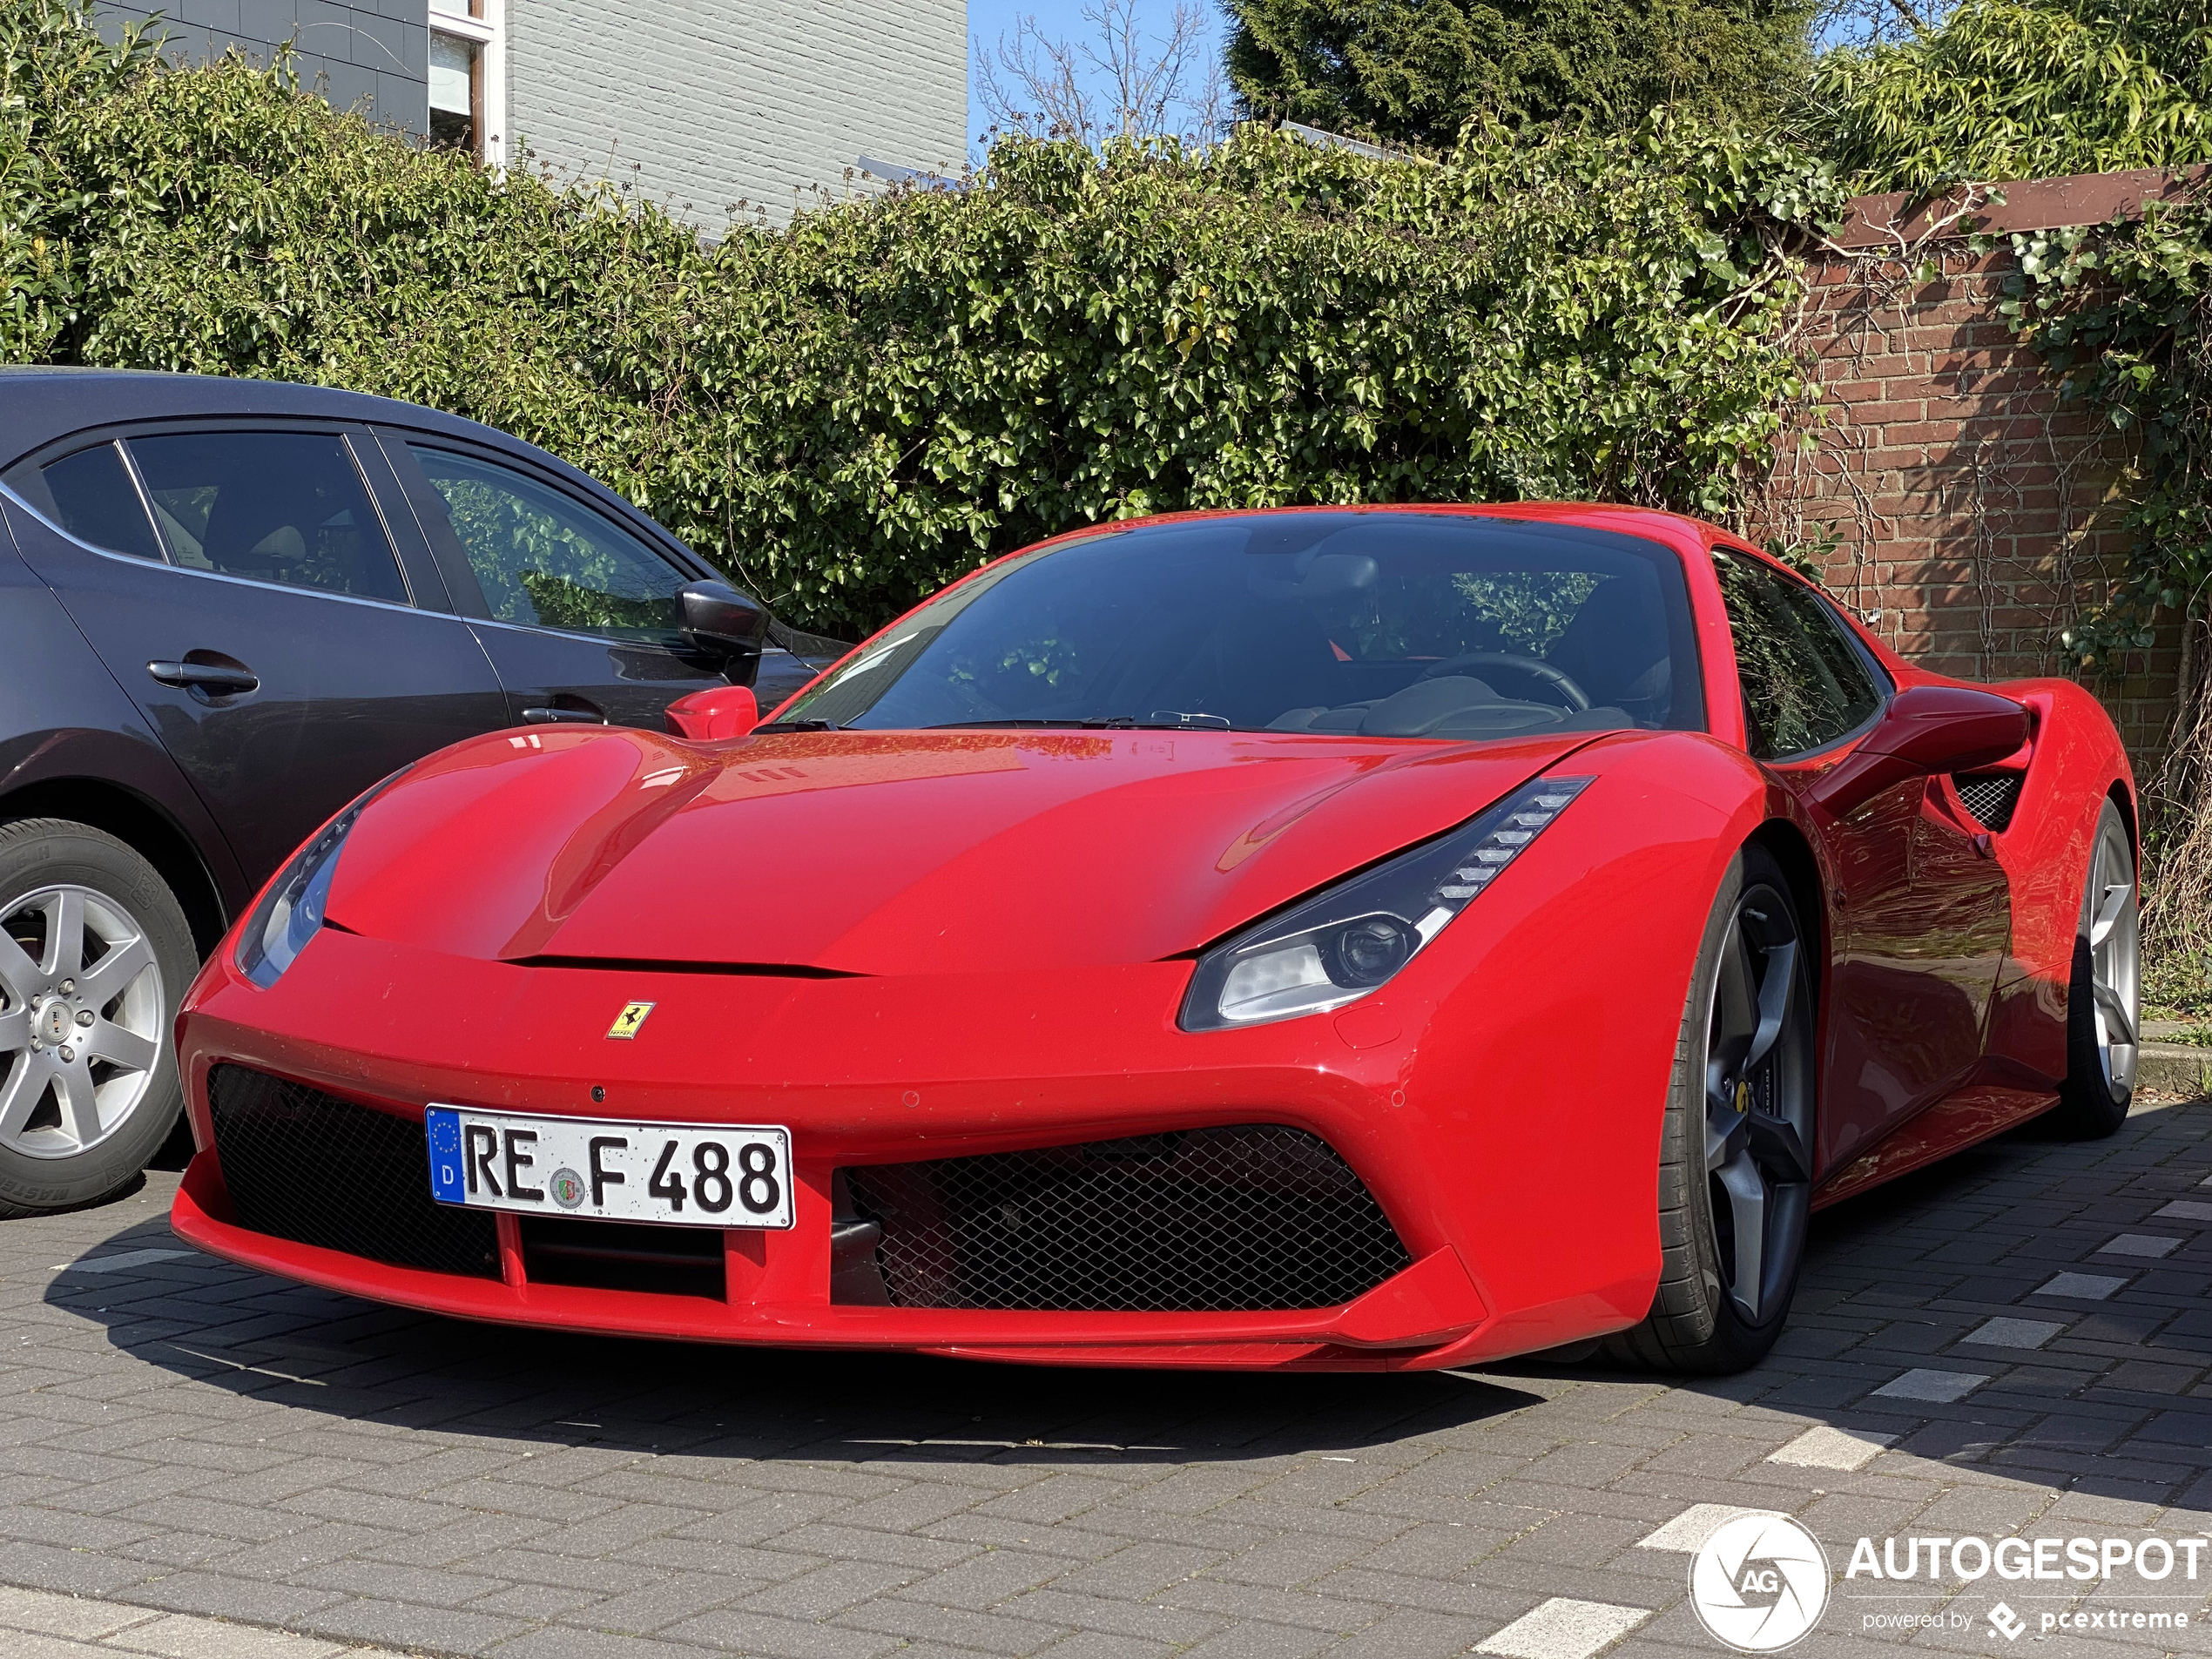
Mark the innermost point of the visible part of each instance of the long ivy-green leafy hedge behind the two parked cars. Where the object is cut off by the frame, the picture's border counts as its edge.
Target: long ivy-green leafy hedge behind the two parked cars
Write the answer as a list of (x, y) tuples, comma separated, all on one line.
[(864, 406)]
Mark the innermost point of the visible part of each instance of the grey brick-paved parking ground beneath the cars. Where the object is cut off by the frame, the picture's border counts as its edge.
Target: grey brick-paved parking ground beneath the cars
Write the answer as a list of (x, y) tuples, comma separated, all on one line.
[(182, 1437)]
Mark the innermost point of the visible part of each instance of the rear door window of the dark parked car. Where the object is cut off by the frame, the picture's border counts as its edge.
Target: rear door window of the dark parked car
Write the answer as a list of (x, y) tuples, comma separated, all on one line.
[(269, 505)]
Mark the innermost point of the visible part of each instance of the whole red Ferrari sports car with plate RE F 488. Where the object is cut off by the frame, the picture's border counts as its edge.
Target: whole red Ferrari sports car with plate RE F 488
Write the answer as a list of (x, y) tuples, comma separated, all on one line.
[(1302, 939)]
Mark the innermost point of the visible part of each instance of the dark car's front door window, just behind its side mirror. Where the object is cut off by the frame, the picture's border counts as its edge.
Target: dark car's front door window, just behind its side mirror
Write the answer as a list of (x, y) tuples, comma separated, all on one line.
[(552, 563)]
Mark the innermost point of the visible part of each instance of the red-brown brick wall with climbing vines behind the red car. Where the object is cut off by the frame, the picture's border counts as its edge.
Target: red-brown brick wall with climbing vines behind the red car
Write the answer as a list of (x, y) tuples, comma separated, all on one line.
[(1972, 517)]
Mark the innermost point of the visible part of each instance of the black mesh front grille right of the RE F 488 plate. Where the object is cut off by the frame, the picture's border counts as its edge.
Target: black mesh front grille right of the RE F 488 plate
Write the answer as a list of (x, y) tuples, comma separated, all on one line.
[(1255, 1218)]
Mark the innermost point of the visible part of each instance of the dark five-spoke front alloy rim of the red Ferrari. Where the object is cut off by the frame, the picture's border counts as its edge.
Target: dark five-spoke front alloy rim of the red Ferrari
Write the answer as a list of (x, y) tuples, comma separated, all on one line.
[(1757, 1105)]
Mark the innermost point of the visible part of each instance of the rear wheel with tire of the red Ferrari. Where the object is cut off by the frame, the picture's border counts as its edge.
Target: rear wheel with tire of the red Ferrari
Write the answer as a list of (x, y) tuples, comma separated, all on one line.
[(2105, 997)]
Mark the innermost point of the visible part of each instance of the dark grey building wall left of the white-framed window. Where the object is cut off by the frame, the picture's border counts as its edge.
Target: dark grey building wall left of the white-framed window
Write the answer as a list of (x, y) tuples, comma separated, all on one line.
[(371, 54)]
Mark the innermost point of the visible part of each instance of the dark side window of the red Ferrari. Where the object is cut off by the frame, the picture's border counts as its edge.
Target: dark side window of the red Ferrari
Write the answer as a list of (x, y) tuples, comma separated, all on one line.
[(1804, 682)]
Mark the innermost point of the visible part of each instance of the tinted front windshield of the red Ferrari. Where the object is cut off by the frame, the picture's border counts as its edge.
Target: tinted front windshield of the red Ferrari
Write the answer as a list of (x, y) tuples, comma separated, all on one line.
[(1357, 623)]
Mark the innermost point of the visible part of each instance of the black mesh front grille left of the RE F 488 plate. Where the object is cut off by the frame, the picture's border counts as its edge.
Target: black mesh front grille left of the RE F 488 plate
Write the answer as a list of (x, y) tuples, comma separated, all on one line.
[(315, 1169)]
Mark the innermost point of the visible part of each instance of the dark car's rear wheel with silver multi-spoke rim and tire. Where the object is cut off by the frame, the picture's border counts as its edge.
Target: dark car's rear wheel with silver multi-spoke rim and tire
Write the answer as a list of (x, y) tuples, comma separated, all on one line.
[(94, 961)]
